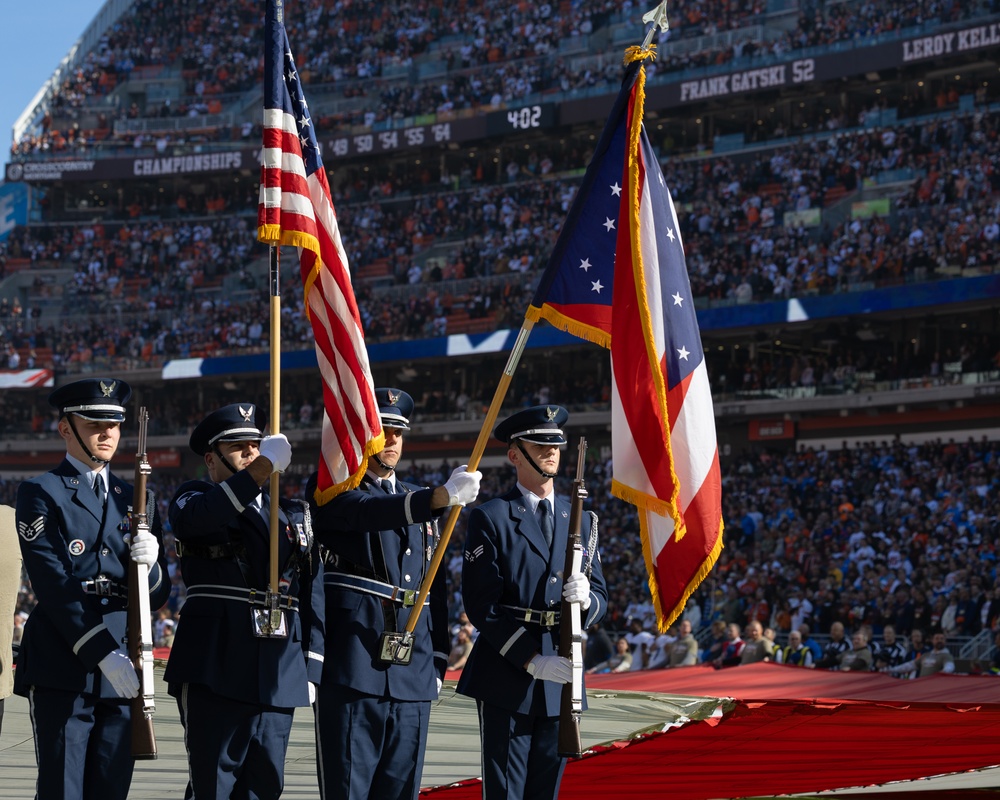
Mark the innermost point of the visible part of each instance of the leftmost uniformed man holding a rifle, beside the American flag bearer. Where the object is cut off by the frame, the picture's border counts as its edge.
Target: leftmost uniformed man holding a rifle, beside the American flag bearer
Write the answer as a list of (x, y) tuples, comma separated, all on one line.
[(73, 524)]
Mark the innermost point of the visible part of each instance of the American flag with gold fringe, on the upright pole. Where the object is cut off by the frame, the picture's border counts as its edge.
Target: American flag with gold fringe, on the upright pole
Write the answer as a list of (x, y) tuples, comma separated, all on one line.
[(296, 208)]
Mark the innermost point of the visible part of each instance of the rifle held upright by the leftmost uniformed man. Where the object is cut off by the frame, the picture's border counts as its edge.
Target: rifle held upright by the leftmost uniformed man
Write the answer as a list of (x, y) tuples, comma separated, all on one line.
[(140, 629)]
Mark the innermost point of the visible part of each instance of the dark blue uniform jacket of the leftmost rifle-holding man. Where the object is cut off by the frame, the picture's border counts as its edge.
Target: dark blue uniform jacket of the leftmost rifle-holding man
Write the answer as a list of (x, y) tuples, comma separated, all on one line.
[(64, 543)]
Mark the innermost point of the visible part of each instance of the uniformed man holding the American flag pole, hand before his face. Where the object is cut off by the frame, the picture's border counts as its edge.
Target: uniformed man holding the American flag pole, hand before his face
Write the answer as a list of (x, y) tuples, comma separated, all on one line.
[(238, 666)]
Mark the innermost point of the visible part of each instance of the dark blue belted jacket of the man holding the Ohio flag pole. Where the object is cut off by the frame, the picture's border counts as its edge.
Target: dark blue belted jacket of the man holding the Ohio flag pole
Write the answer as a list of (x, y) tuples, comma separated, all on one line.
[(372, 533)]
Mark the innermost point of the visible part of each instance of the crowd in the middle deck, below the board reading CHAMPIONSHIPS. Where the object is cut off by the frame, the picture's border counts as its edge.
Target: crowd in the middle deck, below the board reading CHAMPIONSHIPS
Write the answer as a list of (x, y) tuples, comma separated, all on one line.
[(145, 291)]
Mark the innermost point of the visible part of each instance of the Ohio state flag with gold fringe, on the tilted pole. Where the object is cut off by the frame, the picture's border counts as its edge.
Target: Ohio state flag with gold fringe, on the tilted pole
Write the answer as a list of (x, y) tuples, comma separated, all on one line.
[(617, 276)]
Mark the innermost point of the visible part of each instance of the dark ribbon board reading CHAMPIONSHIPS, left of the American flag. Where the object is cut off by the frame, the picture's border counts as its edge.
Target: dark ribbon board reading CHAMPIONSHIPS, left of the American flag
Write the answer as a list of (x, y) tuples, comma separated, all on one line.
[(135, 167)]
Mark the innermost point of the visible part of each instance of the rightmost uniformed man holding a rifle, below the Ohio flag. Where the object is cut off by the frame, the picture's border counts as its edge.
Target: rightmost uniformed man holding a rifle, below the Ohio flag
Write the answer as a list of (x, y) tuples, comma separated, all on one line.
[(513, 587)]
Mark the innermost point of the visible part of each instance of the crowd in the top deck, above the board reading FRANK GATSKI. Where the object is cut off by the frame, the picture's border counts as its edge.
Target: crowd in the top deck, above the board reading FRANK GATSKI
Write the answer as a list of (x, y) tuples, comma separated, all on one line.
[(482, 56)]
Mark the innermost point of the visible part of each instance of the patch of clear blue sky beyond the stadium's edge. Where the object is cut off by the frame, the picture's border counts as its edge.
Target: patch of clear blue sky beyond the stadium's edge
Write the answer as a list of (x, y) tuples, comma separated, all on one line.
[(38, 33)]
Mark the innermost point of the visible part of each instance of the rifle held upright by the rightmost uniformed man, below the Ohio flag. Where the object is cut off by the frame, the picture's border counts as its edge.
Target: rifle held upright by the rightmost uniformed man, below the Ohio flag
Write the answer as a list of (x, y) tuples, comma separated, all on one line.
[(570, 633)]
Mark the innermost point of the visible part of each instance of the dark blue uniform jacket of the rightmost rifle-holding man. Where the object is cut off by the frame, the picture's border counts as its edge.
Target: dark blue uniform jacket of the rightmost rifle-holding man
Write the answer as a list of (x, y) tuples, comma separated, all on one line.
[(508, 563)]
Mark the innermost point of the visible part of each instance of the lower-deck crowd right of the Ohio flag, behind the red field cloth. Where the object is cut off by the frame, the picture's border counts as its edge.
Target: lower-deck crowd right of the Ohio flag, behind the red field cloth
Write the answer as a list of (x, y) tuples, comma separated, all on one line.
[(864, 546)]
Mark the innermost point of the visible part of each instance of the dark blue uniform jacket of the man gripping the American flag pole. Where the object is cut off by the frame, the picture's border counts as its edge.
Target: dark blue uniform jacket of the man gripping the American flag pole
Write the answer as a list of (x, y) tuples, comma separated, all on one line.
[(214, 643)]
